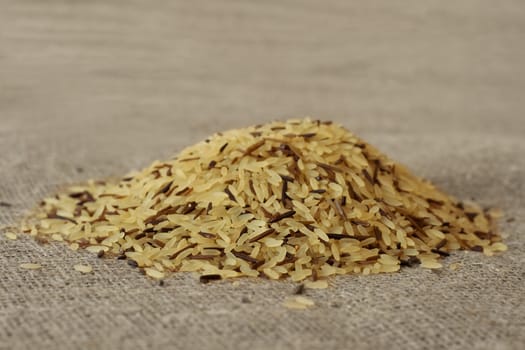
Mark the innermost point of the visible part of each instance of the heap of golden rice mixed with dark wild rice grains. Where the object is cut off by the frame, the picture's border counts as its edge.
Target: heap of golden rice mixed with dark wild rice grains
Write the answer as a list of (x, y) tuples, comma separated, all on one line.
[(301, 199)]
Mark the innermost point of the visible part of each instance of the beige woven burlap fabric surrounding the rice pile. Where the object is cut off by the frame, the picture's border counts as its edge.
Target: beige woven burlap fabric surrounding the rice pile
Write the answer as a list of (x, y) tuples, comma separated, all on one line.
[(96, 88)]
